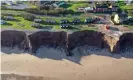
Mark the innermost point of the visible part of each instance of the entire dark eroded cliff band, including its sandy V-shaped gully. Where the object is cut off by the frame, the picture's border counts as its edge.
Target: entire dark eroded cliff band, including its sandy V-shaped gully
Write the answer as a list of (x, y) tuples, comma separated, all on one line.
[(11, 38)]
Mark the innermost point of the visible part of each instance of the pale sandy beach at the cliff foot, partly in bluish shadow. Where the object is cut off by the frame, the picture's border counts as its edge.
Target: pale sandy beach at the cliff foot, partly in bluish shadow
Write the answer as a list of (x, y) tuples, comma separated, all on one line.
[(56, 66)]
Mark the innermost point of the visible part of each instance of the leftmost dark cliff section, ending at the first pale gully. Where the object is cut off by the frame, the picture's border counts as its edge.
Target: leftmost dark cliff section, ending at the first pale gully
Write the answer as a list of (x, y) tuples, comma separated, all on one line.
[(11, 38)]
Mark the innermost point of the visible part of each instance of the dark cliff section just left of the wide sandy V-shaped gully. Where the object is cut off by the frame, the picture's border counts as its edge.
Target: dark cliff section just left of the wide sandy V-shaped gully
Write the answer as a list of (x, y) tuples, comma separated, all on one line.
[(90, 38)]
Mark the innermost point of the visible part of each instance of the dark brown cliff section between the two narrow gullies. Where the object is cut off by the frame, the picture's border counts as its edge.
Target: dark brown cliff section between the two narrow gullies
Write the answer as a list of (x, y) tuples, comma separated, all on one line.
[(45, 38)]
